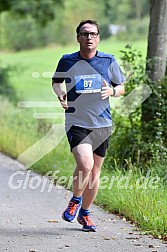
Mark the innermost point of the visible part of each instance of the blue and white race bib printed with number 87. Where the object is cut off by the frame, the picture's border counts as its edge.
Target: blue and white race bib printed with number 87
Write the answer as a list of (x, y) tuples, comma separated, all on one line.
[(88, 83)]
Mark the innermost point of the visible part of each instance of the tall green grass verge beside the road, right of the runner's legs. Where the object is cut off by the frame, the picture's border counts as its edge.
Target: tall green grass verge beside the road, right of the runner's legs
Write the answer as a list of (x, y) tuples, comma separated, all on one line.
[(134, 196)]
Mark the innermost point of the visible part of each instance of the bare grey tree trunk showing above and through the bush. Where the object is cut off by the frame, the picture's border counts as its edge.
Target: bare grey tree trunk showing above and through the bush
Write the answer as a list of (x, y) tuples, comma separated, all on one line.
[(156, 53)]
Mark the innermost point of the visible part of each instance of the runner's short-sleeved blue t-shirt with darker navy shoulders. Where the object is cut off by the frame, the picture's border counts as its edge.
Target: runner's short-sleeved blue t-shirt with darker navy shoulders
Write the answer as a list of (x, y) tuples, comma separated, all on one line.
[(84, 80)]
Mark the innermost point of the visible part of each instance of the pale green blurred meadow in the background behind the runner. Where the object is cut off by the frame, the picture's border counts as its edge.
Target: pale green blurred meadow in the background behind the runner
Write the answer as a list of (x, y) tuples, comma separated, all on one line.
[(45, 60)]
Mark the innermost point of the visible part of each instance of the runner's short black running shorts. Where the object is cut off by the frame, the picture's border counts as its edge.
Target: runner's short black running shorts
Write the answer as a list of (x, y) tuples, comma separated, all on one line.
[(98, 138)]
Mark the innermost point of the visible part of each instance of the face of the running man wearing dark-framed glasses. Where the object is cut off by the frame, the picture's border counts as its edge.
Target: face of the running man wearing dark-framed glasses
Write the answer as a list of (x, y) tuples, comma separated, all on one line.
[(88, 37)]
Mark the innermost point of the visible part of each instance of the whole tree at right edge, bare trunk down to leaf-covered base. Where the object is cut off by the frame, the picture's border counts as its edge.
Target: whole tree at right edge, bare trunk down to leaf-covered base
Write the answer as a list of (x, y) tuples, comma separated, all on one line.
[(154, 113)]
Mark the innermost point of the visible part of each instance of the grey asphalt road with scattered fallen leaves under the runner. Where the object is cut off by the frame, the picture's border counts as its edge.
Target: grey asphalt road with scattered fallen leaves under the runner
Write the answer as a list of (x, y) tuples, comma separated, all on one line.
[(30, 219)]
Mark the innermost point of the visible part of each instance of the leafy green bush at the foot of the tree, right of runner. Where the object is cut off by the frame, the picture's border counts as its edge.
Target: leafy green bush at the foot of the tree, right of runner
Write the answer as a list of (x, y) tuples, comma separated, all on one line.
[(135, 143)]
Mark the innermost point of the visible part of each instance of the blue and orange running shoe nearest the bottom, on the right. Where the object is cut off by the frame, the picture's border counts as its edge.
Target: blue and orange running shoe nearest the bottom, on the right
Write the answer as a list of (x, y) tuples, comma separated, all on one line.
[(87, 223)]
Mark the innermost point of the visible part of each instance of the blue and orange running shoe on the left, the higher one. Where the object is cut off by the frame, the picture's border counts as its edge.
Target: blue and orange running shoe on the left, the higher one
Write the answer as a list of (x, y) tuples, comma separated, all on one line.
[(70, 212)]
